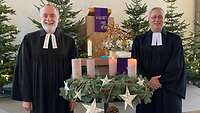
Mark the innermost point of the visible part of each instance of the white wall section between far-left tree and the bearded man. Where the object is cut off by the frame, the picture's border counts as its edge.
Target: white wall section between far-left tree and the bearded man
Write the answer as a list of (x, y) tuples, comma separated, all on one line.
[(24, 9)]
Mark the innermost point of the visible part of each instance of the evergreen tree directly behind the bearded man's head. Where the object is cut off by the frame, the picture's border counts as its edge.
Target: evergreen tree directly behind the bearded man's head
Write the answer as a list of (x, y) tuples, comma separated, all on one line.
[(67, 23)]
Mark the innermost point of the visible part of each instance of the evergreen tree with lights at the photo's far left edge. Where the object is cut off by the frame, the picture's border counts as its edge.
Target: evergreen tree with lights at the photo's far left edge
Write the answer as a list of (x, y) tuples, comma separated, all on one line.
[(7, 36)]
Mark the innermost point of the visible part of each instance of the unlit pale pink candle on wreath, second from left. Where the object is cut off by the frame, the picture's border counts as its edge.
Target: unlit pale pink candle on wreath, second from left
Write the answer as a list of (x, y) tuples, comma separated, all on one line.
[(91, 68)]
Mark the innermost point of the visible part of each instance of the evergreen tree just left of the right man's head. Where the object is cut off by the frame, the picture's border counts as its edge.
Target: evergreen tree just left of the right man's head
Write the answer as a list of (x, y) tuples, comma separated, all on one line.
[(136, 21)]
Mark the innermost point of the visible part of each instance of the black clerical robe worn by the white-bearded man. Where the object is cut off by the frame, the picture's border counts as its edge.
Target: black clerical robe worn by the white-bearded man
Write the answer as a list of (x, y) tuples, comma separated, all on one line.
[(40, 72)]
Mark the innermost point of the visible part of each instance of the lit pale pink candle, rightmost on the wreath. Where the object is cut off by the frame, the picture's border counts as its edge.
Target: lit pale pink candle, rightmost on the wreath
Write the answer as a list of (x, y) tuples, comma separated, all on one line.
[(132, 67)]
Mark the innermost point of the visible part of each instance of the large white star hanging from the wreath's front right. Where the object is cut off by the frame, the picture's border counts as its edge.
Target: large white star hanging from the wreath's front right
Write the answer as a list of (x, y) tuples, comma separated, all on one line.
[(128, 98)]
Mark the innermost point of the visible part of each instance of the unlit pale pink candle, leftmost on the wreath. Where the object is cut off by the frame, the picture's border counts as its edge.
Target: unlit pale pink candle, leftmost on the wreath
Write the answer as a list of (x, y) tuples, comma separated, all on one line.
[(76, 69)]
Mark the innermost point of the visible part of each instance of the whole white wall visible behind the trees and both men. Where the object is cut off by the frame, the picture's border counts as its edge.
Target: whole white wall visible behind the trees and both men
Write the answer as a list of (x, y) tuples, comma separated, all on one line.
[(25, 8)]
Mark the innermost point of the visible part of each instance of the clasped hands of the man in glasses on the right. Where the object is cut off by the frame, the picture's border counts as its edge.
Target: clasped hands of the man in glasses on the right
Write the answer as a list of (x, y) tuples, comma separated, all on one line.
[(155, 83)]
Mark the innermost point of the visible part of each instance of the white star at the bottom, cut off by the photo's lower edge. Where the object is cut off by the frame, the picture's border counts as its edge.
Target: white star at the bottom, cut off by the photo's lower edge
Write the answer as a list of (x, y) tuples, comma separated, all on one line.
[(92, 108)]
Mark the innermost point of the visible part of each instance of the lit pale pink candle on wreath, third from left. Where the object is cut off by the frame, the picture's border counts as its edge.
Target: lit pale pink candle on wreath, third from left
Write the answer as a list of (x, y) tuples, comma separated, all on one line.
[(112, 66)]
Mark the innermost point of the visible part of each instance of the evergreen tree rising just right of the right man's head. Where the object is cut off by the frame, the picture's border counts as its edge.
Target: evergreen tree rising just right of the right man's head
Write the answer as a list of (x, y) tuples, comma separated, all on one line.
[(173, 19)]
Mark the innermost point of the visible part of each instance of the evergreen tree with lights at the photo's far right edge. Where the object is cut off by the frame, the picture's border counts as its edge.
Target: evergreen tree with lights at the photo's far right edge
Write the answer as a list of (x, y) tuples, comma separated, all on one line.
[(192, 55)]
